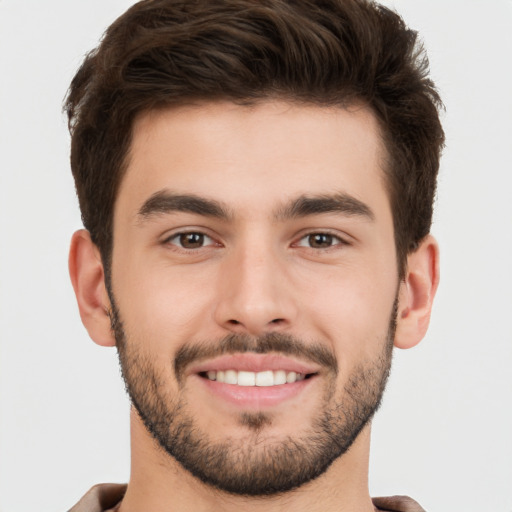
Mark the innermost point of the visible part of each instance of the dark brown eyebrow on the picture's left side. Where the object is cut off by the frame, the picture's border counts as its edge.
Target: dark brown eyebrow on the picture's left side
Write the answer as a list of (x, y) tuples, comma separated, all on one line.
[(163, 202)]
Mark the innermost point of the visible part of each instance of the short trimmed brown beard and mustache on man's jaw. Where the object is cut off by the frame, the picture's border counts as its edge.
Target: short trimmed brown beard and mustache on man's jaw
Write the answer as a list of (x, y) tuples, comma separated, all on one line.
[(256, 464)]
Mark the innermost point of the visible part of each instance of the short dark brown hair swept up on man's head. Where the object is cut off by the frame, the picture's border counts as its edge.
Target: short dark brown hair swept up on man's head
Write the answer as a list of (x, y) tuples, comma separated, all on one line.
[(162, 53)]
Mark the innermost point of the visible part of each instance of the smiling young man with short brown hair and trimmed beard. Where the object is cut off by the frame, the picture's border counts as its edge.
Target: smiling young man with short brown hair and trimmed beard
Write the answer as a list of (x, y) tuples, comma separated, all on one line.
[(256, 182)]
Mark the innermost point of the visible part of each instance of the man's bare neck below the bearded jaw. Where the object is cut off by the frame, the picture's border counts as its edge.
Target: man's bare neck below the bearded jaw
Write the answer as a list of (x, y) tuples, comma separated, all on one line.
[(158, 482)]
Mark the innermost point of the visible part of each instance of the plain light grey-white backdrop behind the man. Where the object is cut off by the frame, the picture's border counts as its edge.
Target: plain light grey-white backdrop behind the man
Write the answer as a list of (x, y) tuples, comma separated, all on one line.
[(444, 433)]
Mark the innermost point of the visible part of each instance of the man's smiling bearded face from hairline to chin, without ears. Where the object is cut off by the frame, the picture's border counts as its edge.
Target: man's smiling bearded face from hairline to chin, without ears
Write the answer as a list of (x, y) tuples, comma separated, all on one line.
[(254, 287)]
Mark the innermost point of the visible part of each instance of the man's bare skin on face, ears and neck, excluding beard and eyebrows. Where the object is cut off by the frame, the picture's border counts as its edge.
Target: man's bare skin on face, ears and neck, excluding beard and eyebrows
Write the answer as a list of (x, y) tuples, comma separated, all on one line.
[(257, 273)]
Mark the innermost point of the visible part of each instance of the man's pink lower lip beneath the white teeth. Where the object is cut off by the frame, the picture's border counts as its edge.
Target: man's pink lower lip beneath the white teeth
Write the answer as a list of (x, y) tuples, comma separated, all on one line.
[(256, 397)]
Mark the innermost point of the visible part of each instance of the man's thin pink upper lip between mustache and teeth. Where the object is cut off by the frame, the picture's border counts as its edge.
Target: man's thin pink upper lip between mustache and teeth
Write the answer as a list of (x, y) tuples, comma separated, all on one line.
[(252, 362)]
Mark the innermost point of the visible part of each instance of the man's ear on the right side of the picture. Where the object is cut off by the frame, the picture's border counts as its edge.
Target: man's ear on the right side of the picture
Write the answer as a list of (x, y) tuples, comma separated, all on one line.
[(416, 294)]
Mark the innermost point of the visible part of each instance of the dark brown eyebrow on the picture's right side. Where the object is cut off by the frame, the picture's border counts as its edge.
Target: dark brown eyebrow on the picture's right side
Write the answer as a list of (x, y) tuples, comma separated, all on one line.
[(314, 205)]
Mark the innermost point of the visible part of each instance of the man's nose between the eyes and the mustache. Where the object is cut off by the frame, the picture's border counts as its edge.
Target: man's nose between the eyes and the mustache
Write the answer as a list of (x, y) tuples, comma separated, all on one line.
[(255, 293)]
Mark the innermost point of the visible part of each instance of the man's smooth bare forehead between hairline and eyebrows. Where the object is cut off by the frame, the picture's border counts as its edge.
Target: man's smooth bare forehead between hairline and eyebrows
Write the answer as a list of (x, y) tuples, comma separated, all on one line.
[(254, 156)]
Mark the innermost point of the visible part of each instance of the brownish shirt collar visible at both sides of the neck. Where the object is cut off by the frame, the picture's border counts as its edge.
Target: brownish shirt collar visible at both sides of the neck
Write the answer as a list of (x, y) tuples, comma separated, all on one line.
[(106, 498)]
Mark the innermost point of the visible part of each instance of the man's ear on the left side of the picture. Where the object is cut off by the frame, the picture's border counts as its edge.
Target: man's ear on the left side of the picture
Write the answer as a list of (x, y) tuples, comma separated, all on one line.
[(88, 279)]
